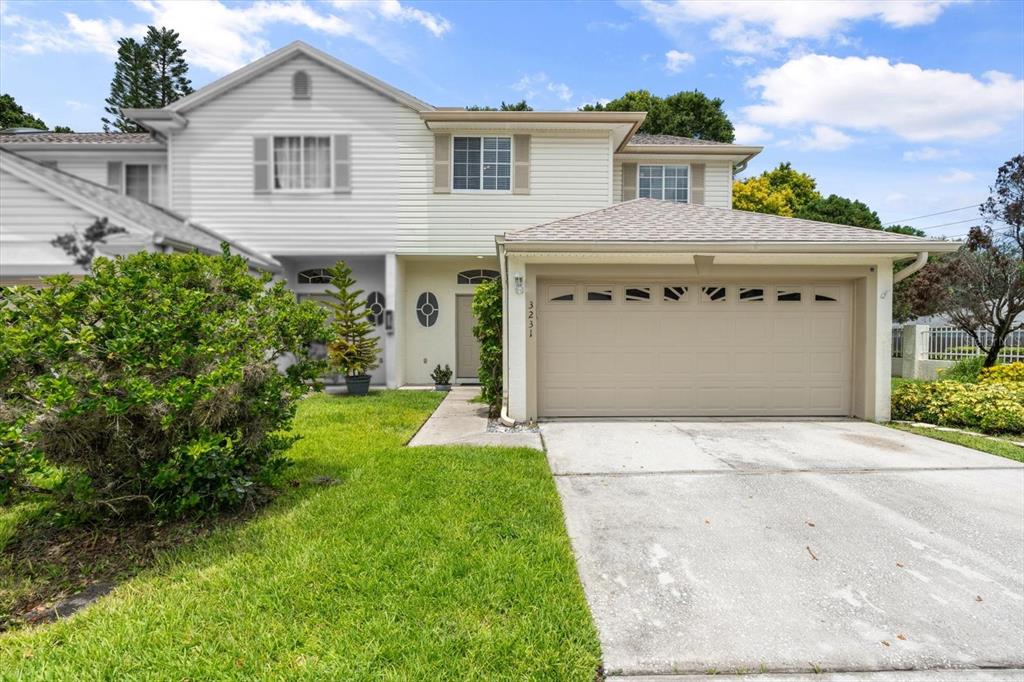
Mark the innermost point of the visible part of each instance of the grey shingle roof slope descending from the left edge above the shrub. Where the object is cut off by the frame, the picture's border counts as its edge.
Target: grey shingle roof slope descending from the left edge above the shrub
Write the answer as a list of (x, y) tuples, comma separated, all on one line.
[(119, 208)]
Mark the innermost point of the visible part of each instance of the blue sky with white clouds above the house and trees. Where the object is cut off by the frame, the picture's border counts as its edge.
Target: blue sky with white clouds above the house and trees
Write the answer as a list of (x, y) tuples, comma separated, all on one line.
[(910, 107)]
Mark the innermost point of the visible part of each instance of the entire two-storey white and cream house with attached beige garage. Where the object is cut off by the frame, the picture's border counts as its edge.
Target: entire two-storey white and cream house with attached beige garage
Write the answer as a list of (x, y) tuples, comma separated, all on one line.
[(679, 307)]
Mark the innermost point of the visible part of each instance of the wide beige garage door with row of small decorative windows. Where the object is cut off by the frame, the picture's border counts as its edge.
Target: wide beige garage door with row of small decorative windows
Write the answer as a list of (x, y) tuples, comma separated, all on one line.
[(694, 349)]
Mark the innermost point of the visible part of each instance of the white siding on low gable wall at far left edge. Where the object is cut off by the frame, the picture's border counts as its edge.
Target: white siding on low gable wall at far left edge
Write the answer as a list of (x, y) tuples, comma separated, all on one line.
[(29, 220)]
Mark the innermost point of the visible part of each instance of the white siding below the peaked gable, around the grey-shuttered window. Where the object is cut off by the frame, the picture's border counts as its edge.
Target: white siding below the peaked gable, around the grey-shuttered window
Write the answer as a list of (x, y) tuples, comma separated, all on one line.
[(392, 150)]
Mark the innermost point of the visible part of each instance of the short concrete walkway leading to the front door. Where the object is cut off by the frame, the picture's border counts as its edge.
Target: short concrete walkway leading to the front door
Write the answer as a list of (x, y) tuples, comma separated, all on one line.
[(458, 421)]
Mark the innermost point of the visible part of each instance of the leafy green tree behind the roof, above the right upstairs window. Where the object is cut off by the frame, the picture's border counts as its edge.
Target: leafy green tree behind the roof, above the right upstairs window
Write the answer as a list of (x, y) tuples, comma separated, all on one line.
[(687, 114)]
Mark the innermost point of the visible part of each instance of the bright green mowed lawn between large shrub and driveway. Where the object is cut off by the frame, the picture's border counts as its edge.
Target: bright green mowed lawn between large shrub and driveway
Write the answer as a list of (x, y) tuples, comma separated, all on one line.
[(429, 564)]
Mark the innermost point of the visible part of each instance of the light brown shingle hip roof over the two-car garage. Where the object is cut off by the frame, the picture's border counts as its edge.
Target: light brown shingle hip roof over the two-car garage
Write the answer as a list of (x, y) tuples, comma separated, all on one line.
[(653, 221)]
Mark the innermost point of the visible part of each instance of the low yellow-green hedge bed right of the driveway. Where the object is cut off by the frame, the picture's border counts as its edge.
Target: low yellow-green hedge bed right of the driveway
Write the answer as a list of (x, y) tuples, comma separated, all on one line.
[(995, 407)]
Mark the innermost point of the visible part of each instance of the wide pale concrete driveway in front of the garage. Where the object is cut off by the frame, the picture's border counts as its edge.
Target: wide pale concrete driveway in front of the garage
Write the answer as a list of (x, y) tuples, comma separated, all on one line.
[(740, 546)]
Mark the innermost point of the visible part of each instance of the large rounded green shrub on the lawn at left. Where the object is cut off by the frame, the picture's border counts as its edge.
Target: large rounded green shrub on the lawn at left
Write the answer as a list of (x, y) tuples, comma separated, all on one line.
[(154, 382)]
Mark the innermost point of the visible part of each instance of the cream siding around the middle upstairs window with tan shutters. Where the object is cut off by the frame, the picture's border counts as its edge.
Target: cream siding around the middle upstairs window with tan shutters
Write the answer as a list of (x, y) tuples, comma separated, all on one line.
[(570, 174)]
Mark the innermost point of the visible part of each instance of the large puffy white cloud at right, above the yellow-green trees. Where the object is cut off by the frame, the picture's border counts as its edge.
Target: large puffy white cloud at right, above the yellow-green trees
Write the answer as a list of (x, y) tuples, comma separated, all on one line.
[(873, 95)]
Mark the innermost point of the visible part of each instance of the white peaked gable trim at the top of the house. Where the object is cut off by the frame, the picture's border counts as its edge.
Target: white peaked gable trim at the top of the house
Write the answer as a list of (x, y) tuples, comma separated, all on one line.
[(278, 58)]
